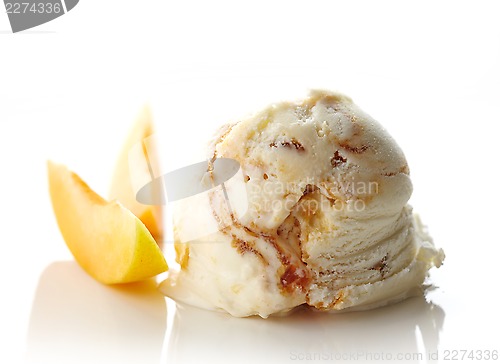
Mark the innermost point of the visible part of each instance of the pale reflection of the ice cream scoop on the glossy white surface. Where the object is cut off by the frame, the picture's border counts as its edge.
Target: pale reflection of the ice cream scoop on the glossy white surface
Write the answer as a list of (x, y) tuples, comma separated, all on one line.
[(408, 331)]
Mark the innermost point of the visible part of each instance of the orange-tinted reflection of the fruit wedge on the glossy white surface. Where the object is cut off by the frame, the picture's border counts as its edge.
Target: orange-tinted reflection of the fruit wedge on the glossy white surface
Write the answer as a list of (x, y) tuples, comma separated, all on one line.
[(75, 319)]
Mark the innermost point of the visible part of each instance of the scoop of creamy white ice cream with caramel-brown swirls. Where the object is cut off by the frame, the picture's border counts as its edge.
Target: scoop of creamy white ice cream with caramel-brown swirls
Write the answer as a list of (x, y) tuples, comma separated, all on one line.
[(327, 222)]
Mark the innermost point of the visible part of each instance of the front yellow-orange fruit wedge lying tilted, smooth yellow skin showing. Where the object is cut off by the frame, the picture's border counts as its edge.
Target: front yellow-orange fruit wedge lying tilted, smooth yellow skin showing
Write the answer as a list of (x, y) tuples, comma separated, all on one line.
[(106, 239)]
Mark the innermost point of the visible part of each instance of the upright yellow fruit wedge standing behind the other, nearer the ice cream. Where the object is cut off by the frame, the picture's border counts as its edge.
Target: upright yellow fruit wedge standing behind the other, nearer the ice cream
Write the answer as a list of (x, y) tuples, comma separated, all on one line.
[(137, 161)]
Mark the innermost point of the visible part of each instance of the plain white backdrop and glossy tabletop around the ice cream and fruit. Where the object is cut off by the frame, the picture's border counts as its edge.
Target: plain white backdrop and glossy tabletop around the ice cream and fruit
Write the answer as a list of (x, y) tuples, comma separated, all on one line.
[(70, 89)]
